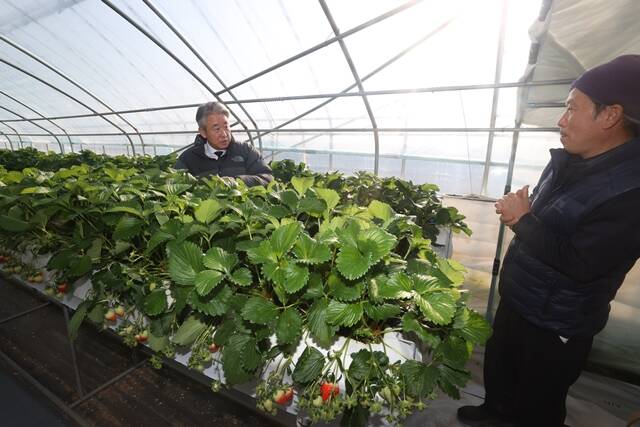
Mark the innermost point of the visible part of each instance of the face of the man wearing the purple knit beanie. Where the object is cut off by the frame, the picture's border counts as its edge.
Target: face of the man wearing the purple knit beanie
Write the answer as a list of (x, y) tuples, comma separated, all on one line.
[(580, 132)]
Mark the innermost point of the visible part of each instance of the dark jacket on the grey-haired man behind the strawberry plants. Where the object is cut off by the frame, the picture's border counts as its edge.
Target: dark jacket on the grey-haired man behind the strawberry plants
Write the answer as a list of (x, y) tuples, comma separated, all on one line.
[(241, 161)]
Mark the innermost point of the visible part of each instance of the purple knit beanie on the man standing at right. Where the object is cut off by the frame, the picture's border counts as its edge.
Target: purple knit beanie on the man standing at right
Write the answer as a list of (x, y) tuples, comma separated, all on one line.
[(615, 82)]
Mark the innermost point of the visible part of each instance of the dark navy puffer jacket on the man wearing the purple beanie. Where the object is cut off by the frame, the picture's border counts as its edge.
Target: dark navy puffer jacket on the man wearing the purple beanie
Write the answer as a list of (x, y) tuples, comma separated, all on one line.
[(572, 251)]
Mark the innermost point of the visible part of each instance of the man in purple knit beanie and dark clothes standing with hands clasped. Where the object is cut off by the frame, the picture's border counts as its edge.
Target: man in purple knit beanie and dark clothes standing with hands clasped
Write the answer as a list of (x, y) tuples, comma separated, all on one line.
[(574, 241)]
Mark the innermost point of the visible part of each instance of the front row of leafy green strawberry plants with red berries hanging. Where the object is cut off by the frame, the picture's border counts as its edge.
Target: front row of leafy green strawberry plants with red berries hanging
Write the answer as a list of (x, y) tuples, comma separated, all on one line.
[(252, 274)]
